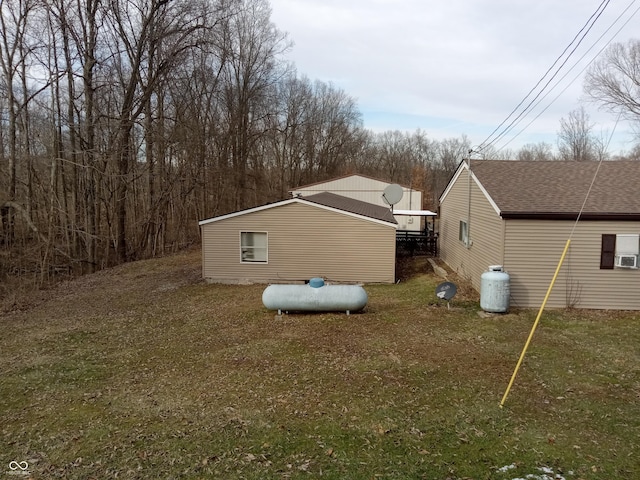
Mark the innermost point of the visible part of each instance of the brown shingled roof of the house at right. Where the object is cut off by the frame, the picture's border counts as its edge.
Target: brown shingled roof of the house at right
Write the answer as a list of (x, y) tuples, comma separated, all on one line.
[(555, 189)]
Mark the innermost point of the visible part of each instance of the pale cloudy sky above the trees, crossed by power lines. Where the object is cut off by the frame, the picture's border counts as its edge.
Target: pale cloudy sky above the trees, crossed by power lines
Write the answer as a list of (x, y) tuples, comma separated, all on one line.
[(455, 67)]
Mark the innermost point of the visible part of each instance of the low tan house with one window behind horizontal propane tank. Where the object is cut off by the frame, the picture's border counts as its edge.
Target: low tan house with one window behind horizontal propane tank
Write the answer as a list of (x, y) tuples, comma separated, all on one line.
[(324, 235)]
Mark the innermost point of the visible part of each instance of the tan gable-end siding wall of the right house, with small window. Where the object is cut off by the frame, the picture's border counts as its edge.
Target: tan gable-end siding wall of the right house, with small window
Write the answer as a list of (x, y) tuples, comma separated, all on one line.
[(486, 231)]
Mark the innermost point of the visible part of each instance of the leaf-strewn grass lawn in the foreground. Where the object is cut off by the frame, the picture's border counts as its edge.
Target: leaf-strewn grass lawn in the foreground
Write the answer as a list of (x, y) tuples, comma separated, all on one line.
[(145, 371)]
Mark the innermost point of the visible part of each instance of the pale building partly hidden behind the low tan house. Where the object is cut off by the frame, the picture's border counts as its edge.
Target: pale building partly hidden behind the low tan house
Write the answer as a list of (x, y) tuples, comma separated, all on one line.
[(371, 190)]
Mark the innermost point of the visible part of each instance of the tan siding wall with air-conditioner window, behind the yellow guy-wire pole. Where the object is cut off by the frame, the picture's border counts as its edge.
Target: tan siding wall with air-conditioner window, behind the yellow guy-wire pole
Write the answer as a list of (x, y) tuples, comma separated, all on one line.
[(533, 249)]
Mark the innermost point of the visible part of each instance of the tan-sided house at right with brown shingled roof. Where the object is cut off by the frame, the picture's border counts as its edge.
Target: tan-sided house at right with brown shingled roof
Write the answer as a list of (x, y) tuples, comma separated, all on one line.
[(520, 214)]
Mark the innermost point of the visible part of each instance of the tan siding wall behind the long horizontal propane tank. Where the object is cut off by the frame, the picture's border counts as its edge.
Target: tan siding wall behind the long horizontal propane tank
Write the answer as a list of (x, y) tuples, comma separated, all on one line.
[(304, 242)]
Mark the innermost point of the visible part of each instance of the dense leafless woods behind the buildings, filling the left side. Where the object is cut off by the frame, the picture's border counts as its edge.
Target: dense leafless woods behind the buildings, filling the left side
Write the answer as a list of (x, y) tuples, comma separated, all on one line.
[(124, 122)]
